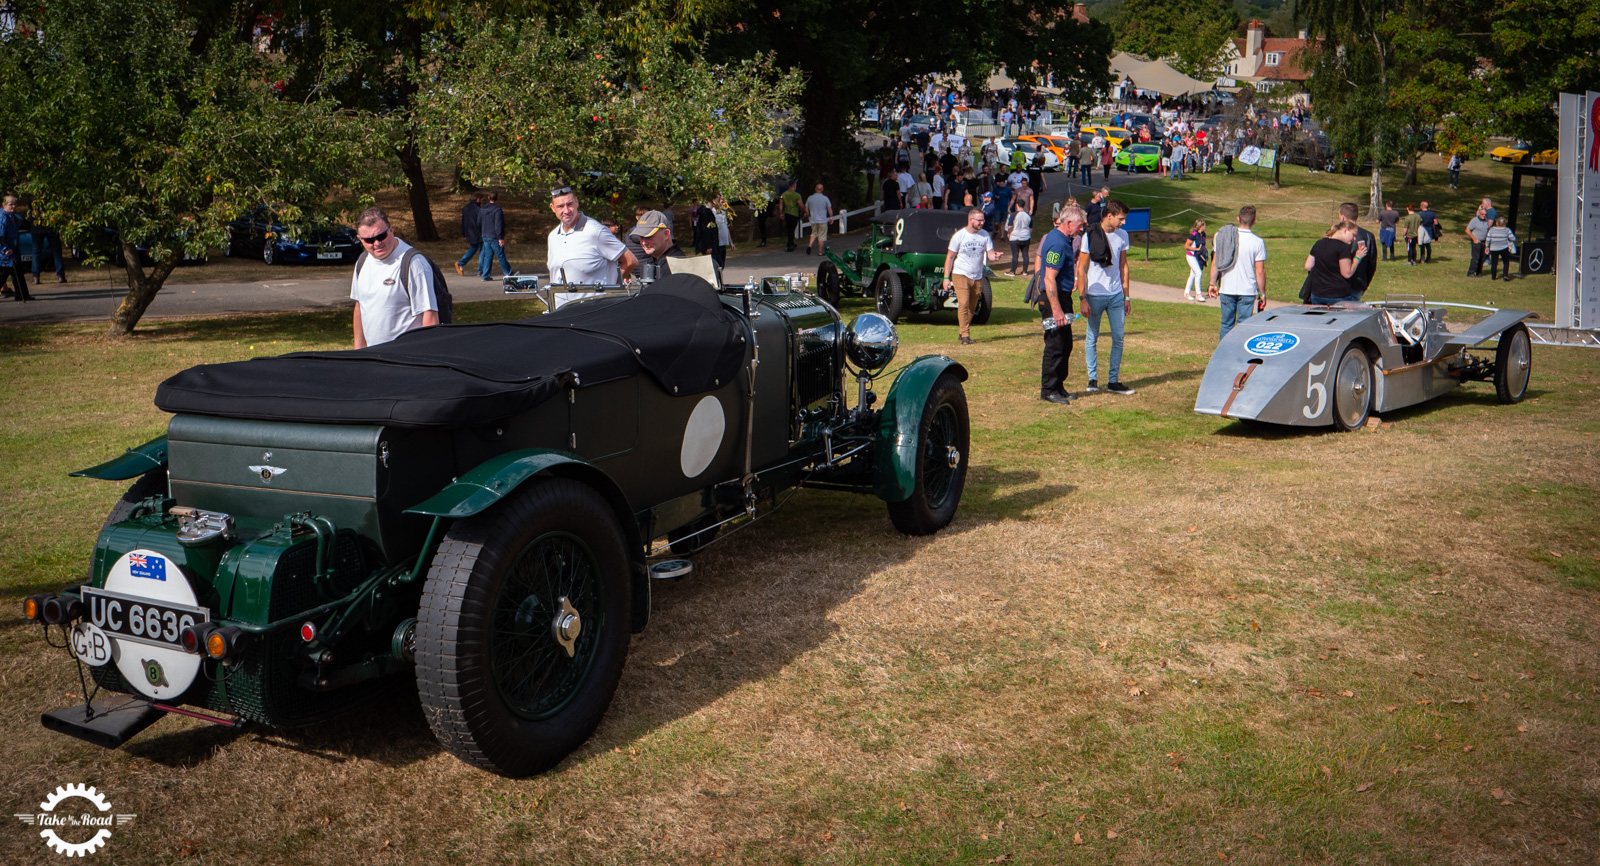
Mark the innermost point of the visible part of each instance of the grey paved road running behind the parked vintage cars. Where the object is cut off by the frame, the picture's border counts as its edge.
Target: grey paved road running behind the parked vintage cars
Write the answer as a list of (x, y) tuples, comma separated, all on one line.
[(313, 291)]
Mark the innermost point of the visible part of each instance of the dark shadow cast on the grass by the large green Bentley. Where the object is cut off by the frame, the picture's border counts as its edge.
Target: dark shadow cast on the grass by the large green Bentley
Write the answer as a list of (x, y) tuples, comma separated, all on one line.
[(756, 603)]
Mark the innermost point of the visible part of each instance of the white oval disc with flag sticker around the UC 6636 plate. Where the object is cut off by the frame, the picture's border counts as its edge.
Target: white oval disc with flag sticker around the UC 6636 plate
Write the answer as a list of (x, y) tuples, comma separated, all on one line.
[(154, 668)]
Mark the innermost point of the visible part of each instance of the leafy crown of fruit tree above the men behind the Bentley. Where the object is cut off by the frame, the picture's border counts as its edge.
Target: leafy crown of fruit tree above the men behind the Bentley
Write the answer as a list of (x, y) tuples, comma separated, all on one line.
[(532, 105)]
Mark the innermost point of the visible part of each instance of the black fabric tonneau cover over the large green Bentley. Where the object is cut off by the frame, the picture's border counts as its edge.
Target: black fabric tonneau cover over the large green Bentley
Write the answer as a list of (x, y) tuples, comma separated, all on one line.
[(452, 375)]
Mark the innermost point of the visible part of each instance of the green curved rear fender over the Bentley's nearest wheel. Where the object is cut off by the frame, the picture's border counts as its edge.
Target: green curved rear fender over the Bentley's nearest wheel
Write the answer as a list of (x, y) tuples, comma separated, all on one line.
[(497, 478)]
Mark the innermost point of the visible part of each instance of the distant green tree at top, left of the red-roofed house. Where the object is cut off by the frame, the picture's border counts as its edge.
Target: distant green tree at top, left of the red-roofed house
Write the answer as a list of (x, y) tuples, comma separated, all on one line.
[(1190, 34)]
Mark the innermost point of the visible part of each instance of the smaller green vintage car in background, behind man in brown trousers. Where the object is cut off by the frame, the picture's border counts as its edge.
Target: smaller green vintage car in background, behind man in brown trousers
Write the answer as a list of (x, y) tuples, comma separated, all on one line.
[(902, 265)]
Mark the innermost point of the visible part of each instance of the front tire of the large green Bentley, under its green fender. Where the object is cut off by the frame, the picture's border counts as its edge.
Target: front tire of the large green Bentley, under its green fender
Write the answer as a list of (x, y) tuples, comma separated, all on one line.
[(938, 491)]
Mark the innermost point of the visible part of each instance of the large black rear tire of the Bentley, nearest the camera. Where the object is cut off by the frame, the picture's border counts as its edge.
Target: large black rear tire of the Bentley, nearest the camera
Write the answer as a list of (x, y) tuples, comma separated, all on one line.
[(497, 686)]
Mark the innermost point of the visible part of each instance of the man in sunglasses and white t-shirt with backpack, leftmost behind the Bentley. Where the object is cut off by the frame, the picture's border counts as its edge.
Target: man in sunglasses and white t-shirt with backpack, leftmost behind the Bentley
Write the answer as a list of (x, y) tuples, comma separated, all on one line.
[(388, 303)]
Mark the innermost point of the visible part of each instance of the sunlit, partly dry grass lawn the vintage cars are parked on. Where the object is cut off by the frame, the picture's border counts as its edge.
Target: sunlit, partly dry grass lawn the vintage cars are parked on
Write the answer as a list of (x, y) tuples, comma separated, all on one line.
[(1148, 638)]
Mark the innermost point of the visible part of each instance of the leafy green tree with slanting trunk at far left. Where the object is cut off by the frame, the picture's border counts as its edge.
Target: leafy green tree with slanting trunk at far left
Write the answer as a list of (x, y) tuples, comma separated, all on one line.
[(161, 126)]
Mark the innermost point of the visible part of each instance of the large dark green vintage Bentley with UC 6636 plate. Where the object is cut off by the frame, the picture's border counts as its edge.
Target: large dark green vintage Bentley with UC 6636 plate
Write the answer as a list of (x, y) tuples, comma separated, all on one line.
[(482, 508)]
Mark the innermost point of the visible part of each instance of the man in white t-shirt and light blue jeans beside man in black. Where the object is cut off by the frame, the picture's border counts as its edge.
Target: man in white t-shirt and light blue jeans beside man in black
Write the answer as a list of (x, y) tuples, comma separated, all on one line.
[(1103, 281)]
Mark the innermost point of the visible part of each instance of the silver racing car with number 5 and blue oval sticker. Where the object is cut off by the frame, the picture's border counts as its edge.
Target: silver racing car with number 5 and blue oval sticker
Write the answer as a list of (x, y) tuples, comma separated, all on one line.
[(1313, 366)]
